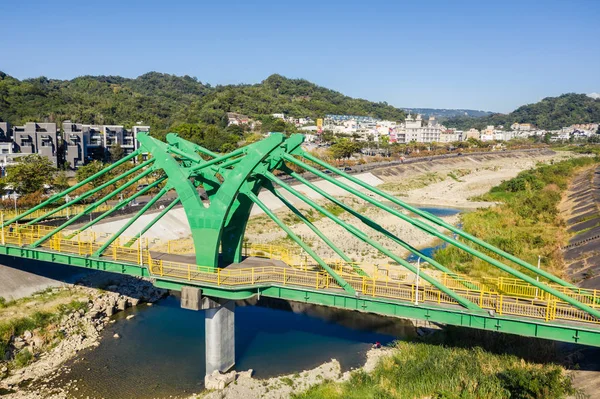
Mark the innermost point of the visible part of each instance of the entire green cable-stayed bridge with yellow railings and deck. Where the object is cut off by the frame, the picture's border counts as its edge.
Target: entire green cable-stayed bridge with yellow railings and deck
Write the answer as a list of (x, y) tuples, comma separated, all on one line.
[(528, 301)]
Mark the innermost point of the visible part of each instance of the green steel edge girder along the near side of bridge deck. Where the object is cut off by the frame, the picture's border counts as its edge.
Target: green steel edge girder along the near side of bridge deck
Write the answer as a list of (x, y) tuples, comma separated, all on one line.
[(572, 332)]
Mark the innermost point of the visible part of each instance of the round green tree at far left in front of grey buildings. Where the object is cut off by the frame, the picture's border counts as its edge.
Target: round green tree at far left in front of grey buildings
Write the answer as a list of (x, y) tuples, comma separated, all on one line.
[(30, 174)]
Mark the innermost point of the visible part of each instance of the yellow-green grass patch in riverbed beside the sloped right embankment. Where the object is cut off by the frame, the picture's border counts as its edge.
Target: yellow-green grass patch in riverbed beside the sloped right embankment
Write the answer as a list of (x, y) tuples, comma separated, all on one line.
[(526, 223)]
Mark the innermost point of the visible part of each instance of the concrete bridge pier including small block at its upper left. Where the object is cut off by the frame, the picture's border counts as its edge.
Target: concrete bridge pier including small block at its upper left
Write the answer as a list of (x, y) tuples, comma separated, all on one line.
[(219, 325)]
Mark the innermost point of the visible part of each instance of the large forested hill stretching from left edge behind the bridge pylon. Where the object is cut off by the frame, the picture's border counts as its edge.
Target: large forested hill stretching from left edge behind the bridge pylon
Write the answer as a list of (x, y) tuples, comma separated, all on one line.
[(164, 101)]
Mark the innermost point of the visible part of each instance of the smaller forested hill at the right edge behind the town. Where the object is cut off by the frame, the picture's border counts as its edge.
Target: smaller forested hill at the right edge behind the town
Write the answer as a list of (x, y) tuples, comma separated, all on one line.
[(550, 113)]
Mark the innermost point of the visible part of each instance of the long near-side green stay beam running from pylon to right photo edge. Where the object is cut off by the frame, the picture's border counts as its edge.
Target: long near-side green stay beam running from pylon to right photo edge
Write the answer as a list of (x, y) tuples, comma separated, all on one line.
[(431, 230)]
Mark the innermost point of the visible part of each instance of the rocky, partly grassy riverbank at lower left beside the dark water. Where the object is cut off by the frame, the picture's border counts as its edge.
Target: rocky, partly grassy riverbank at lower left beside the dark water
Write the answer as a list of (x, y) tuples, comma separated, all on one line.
[(77, 327)]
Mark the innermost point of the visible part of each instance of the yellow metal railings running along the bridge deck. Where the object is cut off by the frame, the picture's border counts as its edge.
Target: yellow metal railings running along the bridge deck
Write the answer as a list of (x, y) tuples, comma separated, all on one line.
[(502, 295)]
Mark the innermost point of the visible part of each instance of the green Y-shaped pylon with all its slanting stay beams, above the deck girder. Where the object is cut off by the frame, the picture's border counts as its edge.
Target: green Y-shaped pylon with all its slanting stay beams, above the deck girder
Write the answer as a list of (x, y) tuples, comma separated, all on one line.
[(218, 191)]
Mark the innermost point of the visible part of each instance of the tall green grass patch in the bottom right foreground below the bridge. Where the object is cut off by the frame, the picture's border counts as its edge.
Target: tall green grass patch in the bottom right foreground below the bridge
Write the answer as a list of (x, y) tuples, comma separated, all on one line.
[(417, 370)]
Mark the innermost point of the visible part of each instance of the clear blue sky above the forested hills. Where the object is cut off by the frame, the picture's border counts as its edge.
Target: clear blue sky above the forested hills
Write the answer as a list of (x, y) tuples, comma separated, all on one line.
[(492, 55)]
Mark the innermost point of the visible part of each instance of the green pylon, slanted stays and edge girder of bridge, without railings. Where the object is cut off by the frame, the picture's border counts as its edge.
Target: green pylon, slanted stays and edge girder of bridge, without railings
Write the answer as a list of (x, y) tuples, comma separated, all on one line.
[(217, 193)]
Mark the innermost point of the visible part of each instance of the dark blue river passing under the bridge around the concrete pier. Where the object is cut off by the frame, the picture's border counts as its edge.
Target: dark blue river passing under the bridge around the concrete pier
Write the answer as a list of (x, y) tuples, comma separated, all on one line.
[(160, 352)]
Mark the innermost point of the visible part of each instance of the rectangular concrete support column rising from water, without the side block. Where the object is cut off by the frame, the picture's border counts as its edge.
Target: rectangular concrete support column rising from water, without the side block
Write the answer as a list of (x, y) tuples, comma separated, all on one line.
[(220, 336)]
